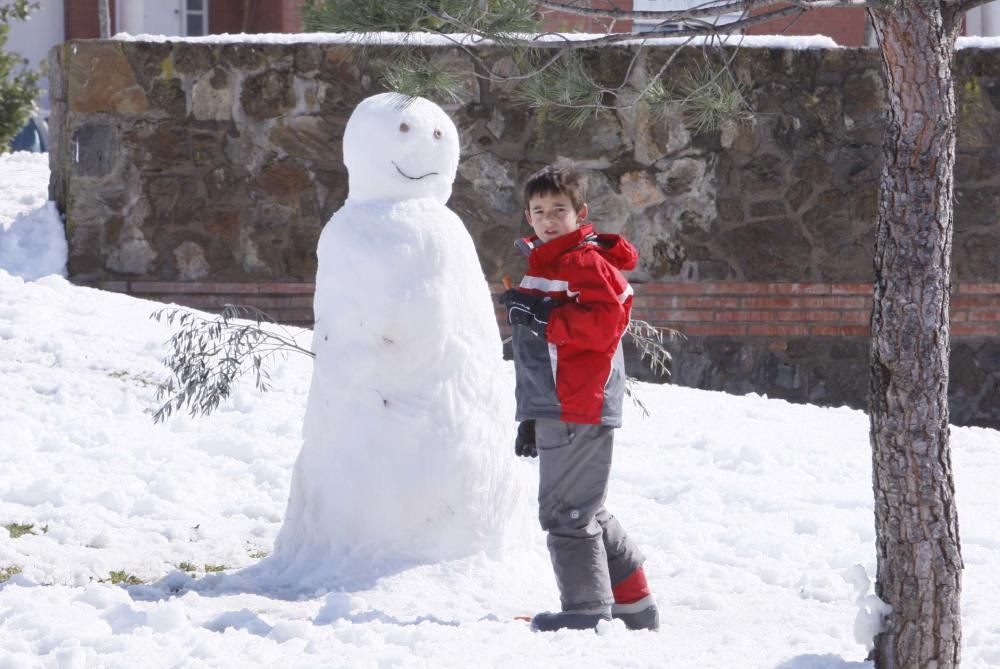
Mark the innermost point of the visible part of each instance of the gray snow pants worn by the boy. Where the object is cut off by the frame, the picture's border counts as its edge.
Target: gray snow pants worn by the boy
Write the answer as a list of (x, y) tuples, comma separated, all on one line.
[(589, 548)]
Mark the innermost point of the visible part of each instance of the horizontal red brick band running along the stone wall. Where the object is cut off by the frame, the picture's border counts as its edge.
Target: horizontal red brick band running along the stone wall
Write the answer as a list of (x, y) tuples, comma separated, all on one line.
[(706, 309)]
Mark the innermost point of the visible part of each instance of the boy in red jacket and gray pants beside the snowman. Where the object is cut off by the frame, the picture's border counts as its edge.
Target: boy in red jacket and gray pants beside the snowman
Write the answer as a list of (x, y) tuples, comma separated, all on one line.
[(568, 318)]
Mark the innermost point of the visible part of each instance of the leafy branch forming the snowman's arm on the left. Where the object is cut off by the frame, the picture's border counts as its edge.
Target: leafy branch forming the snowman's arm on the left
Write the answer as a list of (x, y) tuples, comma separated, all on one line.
[(208, 356)]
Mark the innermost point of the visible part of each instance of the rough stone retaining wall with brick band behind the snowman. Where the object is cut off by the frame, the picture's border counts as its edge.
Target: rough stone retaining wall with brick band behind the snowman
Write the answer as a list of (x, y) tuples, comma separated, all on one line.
[(192, 167)]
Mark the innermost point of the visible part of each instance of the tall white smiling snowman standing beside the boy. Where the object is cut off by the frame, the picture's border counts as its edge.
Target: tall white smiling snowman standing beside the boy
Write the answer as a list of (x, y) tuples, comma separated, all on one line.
[(407, 437)]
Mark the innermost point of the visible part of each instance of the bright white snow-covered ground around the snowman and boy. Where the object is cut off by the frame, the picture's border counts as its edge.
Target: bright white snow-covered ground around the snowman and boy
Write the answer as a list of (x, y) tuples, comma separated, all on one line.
[(755, 514)]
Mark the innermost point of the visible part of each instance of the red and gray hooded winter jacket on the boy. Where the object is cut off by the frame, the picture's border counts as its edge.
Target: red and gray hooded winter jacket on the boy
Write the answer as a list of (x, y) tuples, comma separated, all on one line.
[(577, 373)]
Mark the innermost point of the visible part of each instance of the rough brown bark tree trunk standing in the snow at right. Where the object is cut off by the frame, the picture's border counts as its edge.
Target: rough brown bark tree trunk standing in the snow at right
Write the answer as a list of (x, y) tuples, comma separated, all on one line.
[(919, 556)]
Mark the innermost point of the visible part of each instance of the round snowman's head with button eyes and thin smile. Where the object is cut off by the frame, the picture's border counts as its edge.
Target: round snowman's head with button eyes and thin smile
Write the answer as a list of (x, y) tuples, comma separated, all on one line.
[(400, 148)]
